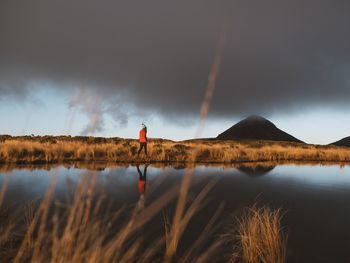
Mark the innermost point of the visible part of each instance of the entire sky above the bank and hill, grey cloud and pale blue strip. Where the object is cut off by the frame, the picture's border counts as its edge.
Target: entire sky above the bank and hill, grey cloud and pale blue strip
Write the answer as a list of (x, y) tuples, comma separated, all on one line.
[(101, 67)]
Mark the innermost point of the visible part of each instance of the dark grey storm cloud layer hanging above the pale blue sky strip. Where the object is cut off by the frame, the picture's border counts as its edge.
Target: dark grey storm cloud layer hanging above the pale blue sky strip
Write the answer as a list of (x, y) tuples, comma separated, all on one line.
[(157, 54)]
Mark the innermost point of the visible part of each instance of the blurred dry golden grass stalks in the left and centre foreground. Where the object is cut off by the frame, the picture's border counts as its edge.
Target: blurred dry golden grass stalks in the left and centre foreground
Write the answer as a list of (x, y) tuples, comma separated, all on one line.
[(86, 231)]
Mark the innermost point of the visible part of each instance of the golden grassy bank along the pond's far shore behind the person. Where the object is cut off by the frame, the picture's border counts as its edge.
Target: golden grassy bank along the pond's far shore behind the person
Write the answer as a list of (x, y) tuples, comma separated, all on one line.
[(87, 149)]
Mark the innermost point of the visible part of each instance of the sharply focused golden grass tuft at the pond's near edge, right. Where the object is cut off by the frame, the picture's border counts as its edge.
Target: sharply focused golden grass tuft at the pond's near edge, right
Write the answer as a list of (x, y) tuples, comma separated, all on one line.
[(260, 237)]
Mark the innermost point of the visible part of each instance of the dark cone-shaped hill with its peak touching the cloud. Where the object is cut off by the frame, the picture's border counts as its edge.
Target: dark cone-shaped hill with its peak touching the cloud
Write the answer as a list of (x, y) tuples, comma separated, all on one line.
[(256, 128)]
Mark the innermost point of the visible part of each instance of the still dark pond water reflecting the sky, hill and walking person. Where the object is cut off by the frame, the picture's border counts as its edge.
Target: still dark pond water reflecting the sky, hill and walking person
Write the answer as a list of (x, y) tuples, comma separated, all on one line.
[(315, 198)]
